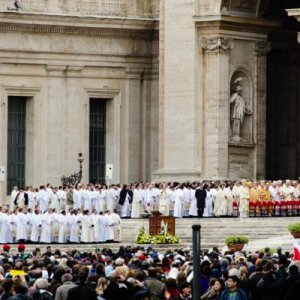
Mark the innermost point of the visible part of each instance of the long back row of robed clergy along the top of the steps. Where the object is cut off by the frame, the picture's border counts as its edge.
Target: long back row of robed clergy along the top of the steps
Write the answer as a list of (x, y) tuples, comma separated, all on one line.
[(195, 199)]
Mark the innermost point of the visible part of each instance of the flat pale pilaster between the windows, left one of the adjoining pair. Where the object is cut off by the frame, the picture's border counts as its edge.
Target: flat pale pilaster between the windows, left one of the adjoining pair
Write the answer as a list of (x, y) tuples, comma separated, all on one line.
[(55, 123)]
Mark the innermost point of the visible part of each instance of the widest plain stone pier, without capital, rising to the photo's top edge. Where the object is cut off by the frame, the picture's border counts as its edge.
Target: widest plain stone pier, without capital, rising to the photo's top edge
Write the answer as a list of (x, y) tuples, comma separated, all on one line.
[(179, 114)]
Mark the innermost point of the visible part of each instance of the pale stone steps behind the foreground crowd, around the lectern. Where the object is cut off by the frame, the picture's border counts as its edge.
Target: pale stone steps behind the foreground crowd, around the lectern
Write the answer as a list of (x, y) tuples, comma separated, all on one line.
[(262, 232)]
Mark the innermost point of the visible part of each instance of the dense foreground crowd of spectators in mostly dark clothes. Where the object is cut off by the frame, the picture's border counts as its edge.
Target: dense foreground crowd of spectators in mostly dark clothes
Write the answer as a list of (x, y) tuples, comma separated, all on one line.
[(147, 274)]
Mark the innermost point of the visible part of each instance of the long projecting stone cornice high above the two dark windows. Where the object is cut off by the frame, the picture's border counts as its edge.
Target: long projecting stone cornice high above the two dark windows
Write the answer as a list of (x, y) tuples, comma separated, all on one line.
[(95, 26)]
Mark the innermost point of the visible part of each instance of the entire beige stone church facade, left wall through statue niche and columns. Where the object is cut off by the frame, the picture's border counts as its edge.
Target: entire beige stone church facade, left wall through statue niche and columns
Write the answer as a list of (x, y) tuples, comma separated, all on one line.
[(169, 71)]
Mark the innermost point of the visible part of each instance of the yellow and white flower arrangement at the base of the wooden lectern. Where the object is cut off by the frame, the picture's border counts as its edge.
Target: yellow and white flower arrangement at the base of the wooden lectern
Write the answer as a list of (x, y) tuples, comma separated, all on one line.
[(162, 238)]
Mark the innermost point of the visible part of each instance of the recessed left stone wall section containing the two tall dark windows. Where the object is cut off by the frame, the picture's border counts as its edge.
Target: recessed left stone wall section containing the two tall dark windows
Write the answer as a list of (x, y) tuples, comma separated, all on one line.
[(58, 63)]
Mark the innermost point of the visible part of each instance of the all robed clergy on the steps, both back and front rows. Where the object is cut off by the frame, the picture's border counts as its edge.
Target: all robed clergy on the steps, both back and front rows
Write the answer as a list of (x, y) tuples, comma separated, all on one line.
[(92, 213)]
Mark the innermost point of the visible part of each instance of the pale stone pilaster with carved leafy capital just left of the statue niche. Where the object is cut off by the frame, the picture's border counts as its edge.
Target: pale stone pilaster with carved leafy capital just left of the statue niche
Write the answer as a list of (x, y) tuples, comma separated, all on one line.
[(216, 106)]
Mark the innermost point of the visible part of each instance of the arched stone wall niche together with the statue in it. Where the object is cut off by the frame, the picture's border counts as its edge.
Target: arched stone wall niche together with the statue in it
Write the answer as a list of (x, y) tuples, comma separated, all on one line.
[(241, 94)]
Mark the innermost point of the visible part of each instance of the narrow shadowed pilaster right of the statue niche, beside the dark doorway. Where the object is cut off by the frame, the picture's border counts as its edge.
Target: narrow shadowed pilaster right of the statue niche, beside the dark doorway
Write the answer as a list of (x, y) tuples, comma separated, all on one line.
[(262, 48)]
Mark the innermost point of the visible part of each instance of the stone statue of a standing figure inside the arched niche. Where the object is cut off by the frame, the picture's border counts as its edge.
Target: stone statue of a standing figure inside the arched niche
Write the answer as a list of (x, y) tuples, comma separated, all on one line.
[(238, 109)]
